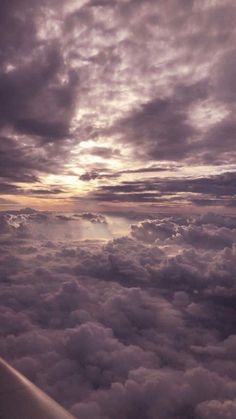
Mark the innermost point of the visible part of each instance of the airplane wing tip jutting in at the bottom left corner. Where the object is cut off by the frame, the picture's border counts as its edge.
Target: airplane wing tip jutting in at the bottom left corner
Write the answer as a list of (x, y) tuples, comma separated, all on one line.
[(20, 399)]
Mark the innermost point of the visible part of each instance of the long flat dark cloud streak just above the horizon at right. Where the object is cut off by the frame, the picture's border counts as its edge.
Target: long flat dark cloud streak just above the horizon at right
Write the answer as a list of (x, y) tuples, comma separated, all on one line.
[(219, 187)]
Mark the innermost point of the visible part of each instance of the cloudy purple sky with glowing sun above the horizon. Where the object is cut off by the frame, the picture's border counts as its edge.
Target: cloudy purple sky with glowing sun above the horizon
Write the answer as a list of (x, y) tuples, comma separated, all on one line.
[(117, 106)]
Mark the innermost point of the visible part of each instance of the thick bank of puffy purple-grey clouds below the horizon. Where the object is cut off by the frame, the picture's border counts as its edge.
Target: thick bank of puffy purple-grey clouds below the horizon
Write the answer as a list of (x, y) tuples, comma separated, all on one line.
[(140, 326)]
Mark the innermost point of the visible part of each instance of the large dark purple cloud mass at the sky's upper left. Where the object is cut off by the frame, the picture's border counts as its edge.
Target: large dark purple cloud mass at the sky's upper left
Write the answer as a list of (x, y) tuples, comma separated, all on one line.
[(34, 99)]
